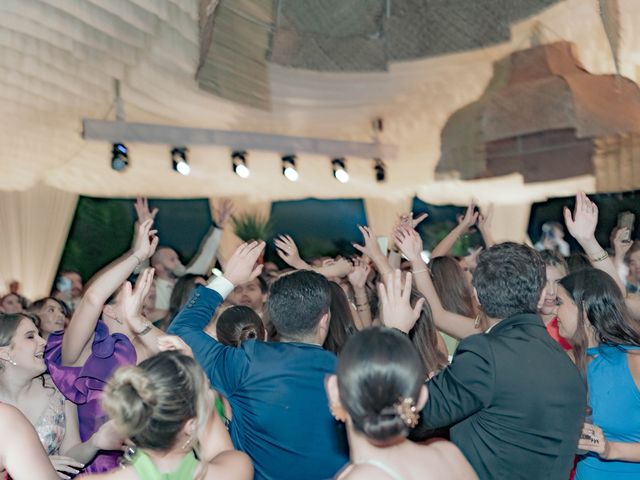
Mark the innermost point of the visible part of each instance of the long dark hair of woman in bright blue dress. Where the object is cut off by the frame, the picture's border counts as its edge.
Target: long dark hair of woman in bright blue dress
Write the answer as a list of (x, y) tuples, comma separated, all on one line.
[(601, 304)]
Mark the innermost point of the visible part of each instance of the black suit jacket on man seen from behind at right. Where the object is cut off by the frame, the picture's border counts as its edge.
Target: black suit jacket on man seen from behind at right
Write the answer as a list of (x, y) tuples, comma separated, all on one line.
[(515, 401)]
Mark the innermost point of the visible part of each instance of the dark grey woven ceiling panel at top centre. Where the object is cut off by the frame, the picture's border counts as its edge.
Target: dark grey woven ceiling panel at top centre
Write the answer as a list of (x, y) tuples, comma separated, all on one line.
[(365, 35)]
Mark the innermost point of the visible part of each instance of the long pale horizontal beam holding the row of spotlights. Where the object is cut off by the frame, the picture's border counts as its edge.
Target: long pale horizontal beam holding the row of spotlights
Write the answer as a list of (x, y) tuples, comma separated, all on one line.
[(111, 131)]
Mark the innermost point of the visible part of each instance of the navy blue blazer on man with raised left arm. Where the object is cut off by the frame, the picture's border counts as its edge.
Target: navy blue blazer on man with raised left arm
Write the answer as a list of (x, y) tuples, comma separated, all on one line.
[(281, 417)]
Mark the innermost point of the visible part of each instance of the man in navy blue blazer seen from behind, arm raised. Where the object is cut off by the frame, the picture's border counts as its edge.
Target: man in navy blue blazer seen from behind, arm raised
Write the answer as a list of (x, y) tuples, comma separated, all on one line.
[(276, 390)]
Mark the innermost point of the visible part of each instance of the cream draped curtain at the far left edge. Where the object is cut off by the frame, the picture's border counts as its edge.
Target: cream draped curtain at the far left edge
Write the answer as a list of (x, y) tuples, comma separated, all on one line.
[(33, 230)]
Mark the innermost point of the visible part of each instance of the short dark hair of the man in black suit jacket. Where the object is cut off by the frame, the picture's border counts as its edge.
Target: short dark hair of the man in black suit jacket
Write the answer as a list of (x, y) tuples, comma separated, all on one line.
[(509, 280)]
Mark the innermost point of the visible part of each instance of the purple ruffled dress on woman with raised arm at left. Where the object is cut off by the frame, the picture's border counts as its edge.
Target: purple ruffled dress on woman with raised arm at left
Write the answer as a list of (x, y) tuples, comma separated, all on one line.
[(83, 385)]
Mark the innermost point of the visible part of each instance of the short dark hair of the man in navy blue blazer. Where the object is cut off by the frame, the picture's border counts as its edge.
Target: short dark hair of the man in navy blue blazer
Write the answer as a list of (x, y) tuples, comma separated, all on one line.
[(297, 302)]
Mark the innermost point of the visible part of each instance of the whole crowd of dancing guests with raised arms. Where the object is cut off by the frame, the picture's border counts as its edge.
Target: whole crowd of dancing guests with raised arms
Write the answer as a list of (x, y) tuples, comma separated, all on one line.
[(509, 363)]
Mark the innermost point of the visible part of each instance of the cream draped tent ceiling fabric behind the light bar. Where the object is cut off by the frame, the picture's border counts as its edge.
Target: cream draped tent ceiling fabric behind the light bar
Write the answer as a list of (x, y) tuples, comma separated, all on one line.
[(58, 60)]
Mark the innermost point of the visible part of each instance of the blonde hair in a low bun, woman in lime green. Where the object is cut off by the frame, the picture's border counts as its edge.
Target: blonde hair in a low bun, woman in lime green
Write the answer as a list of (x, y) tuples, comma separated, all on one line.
[(151, 402)]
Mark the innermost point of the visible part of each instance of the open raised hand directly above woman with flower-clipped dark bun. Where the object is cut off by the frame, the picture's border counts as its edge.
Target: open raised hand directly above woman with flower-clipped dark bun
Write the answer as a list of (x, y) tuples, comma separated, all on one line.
[(395, 305)]
